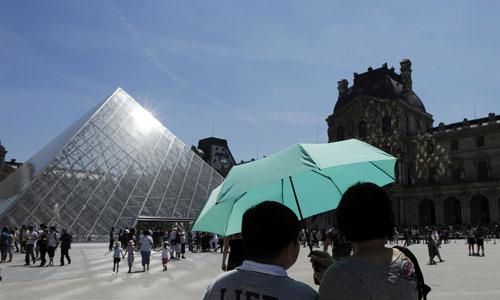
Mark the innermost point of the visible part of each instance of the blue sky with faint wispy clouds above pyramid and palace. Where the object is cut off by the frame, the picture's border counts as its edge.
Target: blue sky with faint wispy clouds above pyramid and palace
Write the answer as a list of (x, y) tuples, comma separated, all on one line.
[(262, 74)]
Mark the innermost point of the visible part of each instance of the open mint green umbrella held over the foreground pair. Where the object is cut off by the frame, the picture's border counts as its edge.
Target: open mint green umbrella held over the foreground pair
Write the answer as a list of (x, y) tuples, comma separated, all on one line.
[(308, 178)]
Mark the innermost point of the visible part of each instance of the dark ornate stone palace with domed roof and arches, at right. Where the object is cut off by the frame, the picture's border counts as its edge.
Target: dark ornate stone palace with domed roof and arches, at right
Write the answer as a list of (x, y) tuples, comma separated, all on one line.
[(447, 174)]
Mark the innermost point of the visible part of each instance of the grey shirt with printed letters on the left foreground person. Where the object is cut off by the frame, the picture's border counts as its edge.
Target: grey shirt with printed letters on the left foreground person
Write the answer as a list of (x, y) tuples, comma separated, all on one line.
[(254, 280)]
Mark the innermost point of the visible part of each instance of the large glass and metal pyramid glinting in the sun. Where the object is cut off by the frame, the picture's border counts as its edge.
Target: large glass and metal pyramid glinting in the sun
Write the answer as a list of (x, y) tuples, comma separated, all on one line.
[(115, 165)]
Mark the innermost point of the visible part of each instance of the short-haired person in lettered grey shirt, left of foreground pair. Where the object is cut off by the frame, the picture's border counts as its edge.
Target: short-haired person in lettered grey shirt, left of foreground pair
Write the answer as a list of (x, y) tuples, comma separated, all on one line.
[(270, 236)]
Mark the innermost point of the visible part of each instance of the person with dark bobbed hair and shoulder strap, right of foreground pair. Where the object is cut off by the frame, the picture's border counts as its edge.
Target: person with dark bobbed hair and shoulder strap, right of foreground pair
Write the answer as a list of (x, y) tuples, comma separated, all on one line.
[(373, 271)]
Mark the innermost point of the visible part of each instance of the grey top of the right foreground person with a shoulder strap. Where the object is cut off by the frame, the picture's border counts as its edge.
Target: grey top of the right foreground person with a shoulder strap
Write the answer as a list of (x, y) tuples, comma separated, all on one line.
[(354, 278)]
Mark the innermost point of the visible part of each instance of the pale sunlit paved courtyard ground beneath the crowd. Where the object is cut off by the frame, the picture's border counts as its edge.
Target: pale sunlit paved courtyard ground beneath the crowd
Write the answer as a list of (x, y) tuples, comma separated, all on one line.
[(90, 277)]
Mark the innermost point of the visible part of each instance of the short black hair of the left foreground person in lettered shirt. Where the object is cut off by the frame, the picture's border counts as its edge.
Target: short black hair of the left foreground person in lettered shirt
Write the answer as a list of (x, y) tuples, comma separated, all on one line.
[(267, 229)]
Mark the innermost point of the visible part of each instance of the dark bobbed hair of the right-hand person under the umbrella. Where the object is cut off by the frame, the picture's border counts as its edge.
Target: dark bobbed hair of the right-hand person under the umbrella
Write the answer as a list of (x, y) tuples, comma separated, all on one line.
[(365, 213)]
